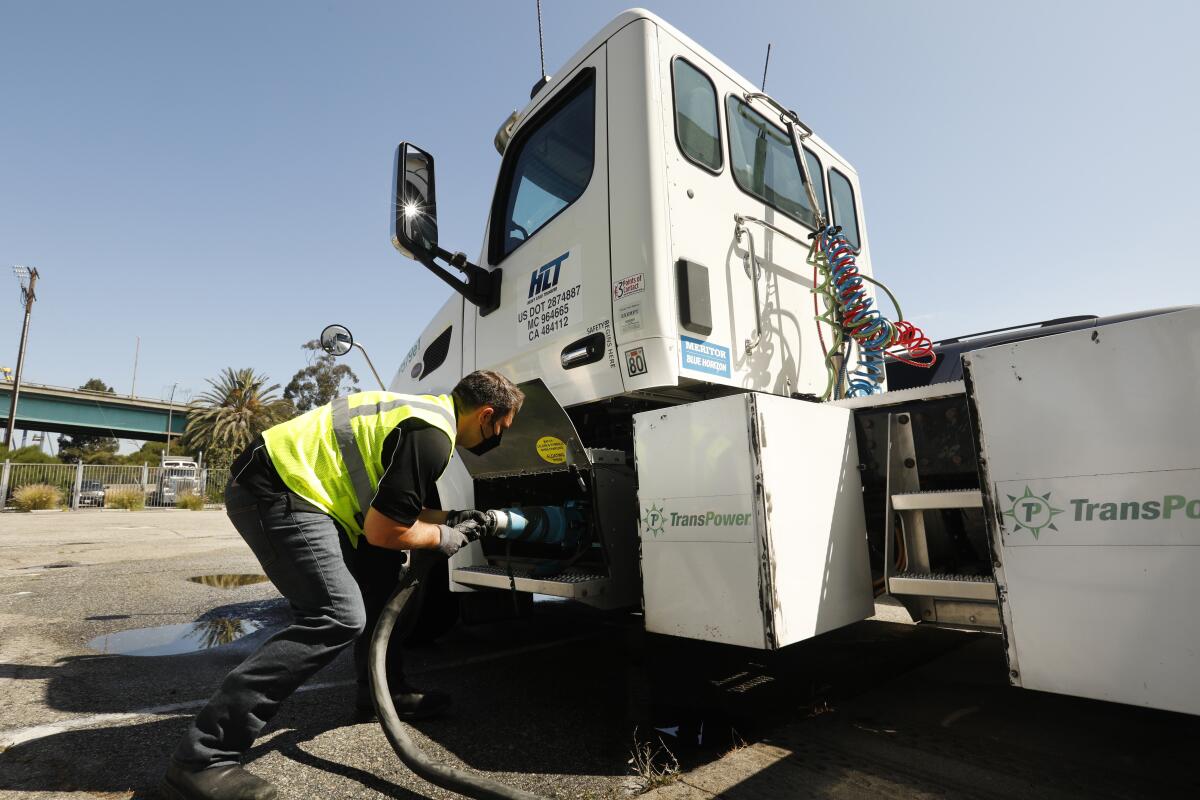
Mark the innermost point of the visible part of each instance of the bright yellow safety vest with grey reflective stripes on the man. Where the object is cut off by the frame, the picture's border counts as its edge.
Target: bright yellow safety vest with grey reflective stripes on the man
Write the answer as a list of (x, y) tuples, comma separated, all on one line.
[(333, 456)]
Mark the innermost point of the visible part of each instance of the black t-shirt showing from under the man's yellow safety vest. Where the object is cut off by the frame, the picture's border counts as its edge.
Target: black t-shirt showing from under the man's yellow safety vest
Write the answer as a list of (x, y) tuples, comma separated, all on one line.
[(415, 455)]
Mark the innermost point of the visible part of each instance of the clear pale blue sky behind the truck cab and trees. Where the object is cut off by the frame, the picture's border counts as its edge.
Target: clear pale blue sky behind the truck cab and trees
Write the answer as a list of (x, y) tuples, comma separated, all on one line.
[(215, 177)]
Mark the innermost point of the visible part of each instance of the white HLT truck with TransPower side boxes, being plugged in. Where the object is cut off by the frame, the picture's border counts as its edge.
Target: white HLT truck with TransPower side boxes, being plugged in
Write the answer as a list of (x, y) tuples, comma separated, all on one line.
[(646, 274)]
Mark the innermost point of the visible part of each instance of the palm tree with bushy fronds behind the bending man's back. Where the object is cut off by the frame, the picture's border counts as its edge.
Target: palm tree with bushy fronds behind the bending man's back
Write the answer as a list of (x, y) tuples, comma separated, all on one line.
[(237, 408)]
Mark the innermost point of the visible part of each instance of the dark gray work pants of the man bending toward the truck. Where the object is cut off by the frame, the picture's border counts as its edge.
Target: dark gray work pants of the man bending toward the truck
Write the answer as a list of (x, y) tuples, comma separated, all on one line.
[(310, 562)]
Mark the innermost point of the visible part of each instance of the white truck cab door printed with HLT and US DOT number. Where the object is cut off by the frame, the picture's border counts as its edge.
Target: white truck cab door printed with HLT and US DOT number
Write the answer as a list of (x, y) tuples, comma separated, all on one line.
[(549, 232)]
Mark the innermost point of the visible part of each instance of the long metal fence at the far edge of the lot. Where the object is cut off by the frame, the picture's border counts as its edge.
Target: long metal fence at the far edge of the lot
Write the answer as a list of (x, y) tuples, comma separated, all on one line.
[(103, 486)]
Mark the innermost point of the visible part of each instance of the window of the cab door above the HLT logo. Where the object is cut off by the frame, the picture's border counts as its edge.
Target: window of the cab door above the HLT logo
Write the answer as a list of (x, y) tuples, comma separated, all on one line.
[(548, 167)]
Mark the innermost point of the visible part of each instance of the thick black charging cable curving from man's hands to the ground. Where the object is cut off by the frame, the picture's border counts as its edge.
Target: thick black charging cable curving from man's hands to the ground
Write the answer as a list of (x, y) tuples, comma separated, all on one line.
[(395, 615)]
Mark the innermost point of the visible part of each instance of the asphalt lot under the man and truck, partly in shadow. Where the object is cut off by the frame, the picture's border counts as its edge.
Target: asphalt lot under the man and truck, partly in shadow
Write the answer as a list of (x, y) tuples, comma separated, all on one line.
[(555, 702)]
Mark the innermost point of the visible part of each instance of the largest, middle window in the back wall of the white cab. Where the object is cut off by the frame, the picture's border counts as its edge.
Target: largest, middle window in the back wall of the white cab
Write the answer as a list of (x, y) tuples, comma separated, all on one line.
[(764, 165)]
